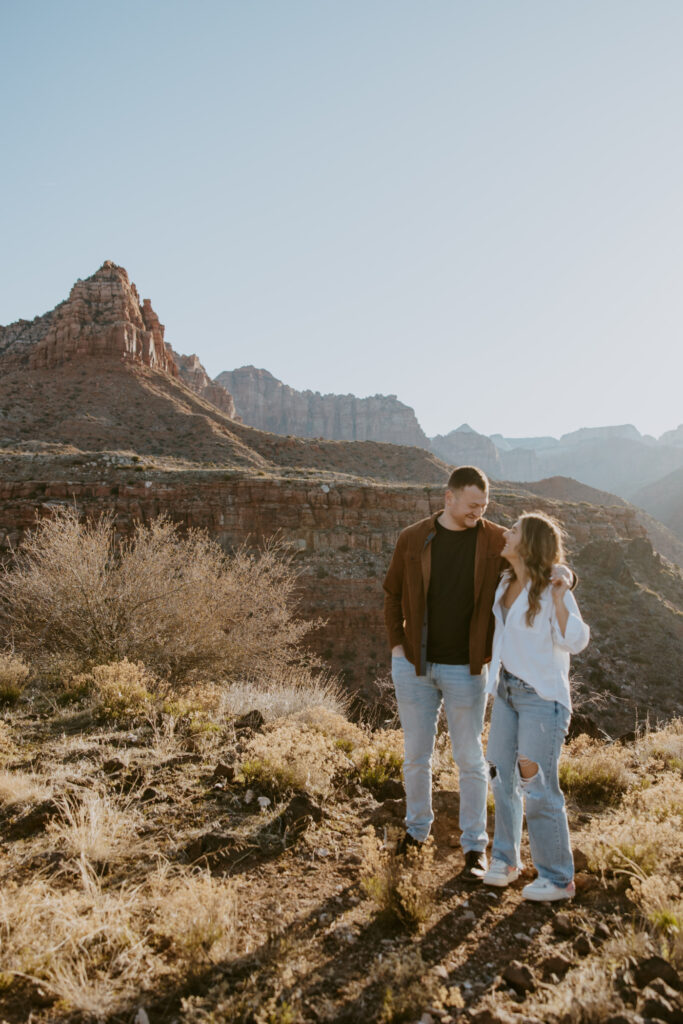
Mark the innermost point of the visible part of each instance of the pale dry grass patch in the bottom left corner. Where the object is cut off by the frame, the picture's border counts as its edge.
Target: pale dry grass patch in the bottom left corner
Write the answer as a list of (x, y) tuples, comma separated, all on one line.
[(95, 950)]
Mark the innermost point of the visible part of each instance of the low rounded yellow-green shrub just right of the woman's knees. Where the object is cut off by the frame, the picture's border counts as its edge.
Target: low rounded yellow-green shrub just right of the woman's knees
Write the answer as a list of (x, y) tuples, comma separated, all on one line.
[(593, 773)]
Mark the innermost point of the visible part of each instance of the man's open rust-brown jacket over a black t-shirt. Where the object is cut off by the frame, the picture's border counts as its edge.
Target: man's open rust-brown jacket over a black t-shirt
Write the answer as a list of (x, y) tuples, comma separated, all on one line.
[(407, 584)]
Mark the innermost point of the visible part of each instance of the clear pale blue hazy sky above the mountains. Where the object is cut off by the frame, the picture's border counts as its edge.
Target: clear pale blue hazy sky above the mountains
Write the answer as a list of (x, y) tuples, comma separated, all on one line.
[(477, 205)]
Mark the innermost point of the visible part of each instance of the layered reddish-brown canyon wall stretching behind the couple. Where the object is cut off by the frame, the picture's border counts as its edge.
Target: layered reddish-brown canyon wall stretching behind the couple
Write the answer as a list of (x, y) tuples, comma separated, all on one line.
[(343, 536)]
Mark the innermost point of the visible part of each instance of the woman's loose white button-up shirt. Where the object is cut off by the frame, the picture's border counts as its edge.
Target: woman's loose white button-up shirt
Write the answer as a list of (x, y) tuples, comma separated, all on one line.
[(539, 655)]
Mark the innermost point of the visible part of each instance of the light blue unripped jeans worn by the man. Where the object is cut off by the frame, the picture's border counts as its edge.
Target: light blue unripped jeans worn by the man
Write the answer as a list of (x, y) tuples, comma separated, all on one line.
[(419, 701)]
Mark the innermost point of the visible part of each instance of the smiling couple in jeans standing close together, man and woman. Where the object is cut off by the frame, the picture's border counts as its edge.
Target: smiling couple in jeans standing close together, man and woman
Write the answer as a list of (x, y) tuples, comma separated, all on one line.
[(447, 575)]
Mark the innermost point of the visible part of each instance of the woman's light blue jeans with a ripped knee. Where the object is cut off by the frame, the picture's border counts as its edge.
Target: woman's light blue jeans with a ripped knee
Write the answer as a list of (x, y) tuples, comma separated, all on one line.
[(526, 727)]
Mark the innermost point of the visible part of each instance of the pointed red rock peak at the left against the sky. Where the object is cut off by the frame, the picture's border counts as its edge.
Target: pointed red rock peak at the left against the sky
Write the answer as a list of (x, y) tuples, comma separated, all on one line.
[(103, 317)]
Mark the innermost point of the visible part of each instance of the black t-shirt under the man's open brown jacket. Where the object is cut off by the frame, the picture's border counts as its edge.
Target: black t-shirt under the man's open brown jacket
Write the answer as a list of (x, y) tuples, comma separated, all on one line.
[(451, 595)]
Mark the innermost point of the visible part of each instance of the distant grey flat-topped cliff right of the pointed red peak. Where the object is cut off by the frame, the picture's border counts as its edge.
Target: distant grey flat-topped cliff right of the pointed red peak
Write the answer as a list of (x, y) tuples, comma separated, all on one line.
[(266, 403)]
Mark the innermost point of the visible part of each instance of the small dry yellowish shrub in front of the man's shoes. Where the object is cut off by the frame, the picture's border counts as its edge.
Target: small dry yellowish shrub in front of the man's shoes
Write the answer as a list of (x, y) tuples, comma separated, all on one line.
[(400, 886)]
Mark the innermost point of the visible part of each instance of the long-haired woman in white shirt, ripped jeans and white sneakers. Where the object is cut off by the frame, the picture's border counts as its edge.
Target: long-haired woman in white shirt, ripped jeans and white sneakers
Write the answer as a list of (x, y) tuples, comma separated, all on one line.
[(538, 626)]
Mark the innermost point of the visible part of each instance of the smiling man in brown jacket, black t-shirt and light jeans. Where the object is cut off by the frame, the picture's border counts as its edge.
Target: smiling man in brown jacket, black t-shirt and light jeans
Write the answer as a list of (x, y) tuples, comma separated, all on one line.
[(439, 598)]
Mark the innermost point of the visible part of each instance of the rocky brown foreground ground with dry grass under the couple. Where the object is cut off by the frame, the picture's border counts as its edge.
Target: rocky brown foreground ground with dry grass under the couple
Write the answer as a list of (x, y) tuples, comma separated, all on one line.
[(308, 942)]
